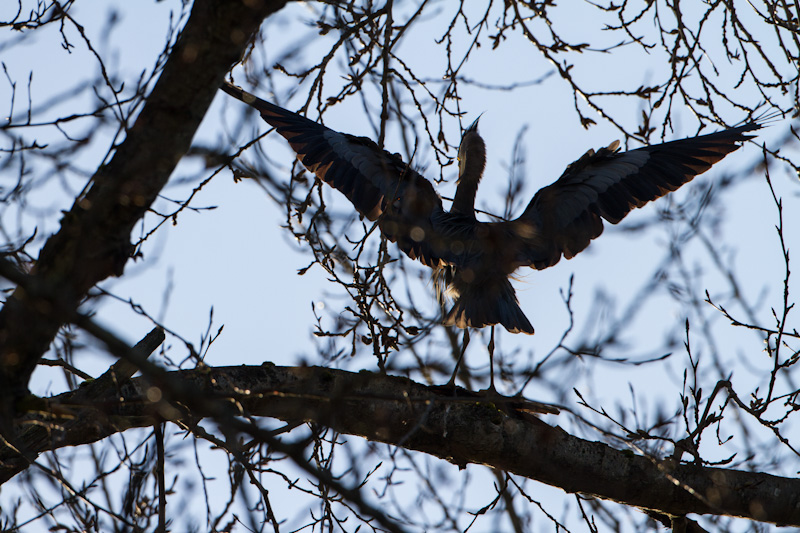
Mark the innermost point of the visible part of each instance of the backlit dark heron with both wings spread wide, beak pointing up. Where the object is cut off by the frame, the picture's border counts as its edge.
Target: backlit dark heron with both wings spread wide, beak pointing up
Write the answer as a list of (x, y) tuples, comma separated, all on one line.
[(472, 260)]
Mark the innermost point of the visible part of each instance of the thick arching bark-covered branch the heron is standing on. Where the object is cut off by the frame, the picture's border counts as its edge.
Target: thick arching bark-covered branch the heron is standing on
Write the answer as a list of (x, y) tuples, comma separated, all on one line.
[(398, 411)]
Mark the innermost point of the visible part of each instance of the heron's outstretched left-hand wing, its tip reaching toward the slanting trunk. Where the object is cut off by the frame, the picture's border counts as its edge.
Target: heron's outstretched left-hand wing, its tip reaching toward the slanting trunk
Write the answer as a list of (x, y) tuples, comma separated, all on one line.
[(380, 185)]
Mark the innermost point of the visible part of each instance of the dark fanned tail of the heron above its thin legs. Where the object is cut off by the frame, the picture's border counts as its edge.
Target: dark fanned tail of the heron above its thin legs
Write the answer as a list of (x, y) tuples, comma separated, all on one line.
[(487, 304)]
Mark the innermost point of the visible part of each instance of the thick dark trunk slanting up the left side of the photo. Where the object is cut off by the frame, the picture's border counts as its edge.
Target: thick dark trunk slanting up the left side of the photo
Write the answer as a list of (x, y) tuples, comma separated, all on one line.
[(93, 242)]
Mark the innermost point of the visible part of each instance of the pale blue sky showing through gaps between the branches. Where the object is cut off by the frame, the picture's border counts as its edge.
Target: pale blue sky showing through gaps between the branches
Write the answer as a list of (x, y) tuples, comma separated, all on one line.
[(236, 260)]
